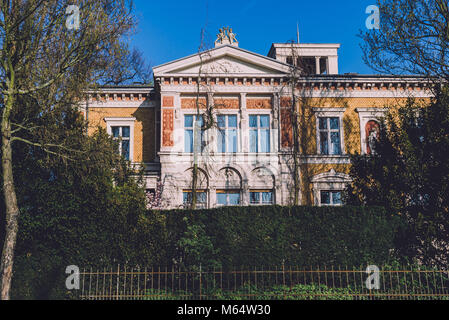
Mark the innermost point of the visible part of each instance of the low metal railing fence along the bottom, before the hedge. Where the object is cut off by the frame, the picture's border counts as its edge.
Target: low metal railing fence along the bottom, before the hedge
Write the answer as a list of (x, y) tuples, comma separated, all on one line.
[(277, 283)]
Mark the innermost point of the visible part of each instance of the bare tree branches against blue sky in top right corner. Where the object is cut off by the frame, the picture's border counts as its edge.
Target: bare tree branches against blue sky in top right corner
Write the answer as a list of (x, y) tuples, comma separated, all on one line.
[(413, 38)]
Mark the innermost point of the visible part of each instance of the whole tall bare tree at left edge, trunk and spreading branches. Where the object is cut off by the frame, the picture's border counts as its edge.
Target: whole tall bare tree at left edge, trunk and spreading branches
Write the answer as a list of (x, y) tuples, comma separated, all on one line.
[(45, 64)]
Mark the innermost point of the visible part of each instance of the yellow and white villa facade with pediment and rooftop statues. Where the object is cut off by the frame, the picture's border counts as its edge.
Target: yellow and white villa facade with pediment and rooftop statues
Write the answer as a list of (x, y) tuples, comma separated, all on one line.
[(246, 157)]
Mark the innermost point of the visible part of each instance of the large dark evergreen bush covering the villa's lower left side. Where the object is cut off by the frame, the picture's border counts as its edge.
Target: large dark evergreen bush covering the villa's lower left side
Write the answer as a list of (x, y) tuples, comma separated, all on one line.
[(89, 211)]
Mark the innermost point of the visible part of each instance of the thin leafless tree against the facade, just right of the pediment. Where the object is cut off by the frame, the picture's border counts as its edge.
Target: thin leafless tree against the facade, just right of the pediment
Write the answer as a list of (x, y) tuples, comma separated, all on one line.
[(297, 113)]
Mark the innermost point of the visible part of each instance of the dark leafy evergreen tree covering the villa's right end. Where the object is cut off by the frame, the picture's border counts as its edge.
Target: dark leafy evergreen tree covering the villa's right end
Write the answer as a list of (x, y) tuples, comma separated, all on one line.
[(409, 175)]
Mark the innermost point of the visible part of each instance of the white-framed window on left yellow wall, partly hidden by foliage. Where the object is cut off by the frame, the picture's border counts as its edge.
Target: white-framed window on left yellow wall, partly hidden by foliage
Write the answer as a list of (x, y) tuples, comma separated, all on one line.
[(122, 130)]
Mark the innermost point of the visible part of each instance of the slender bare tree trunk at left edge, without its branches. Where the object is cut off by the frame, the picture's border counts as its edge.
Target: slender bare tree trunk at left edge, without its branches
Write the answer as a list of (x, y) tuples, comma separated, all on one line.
[(12, 209)]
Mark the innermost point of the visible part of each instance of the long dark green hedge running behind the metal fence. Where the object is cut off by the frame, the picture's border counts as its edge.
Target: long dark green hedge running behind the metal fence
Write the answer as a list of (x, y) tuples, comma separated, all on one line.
[(229, 237)]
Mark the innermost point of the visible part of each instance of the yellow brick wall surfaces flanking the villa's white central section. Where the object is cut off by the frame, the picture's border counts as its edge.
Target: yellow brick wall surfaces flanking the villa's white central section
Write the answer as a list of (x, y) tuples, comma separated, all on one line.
[(145, 131)]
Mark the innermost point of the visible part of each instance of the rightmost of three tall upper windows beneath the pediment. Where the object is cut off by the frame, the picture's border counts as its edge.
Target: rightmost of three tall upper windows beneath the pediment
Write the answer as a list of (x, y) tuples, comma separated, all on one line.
[(259, 133)]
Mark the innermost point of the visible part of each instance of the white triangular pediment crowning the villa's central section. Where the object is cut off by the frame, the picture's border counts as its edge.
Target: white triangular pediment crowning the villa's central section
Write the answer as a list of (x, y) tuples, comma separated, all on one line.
[(225, 60)]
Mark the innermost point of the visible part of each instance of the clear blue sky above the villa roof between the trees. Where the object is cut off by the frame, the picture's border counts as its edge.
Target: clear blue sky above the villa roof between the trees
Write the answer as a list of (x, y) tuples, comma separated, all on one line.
[(170, 30)]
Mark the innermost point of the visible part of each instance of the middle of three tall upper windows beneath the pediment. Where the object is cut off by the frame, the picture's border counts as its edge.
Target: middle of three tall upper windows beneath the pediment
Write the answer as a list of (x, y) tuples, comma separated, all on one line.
[(227, 133)]
